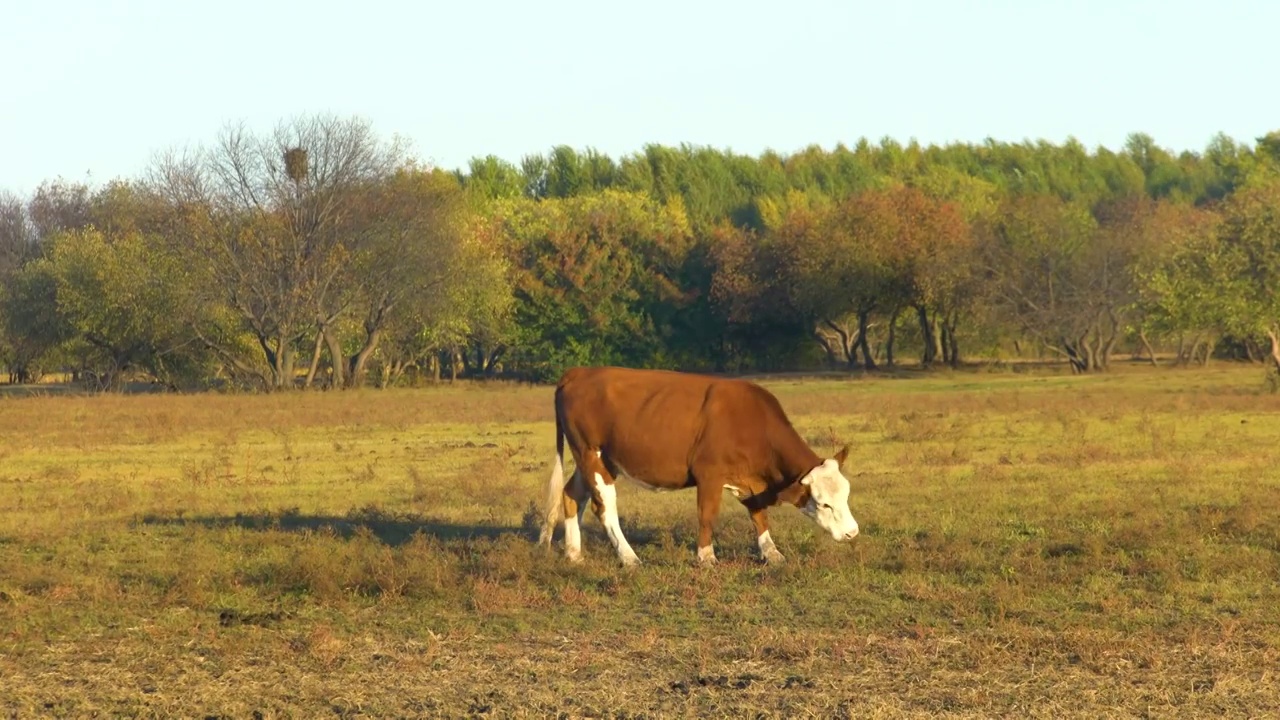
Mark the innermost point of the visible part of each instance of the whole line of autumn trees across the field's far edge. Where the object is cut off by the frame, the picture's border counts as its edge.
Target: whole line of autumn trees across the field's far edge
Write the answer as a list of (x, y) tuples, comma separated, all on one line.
[(323, 256)]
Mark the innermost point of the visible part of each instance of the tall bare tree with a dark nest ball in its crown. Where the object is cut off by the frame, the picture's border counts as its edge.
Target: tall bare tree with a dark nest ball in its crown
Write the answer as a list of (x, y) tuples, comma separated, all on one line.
[(269, 225)]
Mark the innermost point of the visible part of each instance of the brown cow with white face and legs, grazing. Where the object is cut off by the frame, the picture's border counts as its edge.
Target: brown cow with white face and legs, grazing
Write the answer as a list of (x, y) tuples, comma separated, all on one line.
[(671, 431)]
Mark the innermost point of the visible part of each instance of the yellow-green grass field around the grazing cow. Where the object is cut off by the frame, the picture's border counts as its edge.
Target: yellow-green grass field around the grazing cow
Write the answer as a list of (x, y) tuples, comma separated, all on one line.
[(1032, 546)]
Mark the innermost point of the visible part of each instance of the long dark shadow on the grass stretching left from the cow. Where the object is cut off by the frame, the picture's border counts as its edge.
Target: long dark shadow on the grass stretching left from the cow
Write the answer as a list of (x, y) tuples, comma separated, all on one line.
[(388, 528)]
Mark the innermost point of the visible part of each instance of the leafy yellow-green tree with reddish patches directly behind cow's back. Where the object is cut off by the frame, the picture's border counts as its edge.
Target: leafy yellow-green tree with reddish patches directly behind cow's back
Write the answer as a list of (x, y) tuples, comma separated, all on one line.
[(593, 277)]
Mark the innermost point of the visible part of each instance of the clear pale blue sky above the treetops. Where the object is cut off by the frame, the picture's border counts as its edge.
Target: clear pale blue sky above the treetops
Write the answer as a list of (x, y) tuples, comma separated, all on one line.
[(98, 86)]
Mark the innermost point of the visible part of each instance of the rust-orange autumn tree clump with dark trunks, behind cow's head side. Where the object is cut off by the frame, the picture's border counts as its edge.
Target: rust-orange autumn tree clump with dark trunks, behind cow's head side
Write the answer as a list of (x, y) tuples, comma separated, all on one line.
[(845, 270)]
